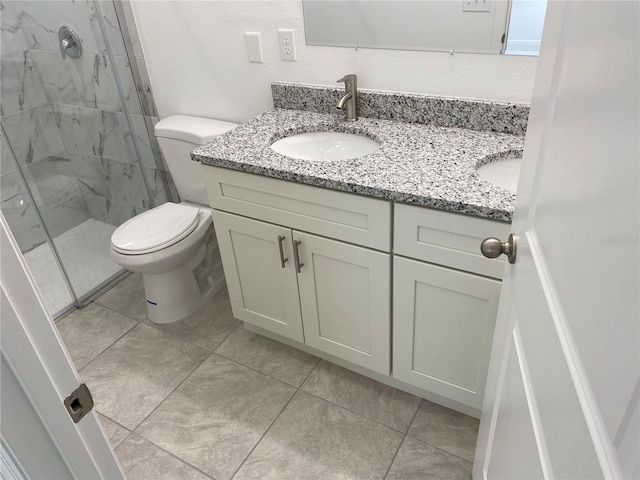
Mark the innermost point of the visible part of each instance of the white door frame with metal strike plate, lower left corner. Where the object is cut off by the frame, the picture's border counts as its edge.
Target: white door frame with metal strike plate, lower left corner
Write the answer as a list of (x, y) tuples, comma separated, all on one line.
[(46, 440)]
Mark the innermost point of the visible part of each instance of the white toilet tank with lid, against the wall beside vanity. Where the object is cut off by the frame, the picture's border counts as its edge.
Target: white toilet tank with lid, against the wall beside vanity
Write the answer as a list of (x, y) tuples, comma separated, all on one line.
[(177, 136)]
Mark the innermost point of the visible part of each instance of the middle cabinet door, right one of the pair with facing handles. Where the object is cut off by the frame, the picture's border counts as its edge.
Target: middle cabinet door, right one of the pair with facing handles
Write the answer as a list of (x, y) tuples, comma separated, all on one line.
[(345, 299)]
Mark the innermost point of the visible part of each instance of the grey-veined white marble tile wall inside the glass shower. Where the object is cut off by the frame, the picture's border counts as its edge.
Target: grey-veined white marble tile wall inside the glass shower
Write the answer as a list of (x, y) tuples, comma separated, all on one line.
[(65, 120)]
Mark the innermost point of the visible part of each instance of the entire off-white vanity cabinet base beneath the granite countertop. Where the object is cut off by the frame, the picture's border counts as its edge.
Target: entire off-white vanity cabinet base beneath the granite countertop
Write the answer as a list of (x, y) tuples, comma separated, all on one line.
[(317, 266)]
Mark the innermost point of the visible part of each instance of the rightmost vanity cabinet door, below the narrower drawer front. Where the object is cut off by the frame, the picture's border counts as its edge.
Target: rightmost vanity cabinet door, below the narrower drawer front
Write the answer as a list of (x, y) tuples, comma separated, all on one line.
[(443, 323)]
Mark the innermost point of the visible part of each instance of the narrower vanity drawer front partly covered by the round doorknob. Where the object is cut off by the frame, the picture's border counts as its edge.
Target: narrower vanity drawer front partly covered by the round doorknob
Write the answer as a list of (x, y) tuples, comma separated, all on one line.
[(448, 239)]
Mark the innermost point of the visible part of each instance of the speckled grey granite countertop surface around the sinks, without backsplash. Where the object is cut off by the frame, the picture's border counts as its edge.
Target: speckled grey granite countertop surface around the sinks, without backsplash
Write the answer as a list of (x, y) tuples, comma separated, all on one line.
[(417, 164)]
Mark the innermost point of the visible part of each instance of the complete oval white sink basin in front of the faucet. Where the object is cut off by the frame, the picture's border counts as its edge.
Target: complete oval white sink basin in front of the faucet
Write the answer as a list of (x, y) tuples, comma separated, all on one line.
[(325, 146)]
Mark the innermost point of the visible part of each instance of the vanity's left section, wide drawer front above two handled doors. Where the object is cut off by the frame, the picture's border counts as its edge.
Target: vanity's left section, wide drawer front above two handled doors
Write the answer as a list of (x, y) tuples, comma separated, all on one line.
[(331, 295)]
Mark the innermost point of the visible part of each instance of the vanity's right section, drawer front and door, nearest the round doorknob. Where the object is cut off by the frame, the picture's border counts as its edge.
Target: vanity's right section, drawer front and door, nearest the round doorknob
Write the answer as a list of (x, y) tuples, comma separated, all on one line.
[(445, 302)]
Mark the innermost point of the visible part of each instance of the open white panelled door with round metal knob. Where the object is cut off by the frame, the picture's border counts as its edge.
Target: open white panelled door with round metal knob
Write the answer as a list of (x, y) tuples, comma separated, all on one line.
[(563, 389)]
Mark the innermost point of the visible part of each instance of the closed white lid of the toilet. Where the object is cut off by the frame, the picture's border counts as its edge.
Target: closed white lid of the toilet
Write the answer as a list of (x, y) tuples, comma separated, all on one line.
[(155, 229)]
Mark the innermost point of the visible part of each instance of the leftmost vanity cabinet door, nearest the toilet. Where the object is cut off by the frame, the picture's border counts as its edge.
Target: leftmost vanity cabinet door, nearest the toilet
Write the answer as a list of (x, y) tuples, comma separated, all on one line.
[(261, 291)]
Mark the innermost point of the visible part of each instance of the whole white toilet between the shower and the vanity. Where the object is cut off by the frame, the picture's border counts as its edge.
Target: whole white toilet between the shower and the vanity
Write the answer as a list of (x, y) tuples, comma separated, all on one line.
[(174, 245)]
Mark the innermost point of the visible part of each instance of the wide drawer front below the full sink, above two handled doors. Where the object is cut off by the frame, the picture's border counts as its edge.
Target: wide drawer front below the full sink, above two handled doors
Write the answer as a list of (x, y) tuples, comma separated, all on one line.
[(343, 216)]
